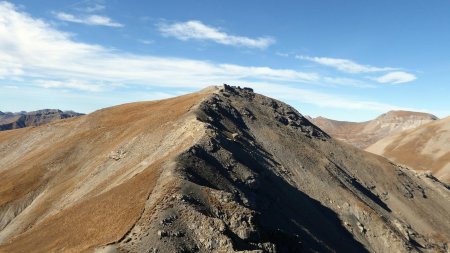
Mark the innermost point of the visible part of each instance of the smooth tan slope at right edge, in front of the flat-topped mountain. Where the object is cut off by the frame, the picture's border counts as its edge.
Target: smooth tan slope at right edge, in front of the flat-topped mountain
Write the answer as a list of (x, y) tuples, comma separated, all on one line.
[(424, 148)]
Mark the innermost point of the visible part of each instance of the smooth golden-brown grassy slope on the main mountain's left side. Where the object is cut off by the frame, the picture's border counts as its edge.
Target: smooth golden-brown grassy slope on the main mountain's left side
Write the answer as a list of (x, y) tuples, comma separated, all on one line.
[(74, 184)]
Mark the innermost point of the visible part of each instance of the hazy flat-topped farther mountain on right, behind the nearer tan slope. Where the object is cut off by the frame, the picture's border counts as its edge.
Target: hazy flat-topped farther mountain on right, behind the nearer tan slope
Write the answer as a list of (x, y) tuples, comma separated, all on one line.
[(364, 134)]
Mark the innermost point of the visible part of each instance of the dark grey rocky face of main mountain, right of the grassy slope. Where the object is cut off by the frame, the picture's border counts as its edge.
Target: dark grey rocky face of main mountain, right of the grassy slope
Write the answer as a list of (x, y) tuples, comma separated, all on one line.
[(240, 192)]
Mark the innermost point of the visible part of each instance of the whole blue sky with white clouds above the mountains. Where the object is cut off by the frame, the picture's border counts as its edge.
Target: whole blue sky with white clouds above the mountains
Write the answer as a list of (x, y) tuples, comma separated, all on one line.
[(347, 60)]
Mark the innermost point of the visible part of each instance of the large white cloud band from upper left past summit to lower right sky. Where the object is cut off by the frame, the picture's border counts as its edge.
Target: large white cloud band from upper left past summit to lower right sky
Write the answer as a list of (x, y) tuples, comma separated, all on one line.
[(25, 42)]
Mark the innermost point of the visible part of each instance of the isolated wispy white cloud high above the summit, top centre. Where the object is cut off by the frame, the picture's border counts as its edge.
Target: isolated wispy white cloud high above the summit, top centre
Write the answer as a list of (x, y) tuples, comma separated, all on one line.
[(196, 30)]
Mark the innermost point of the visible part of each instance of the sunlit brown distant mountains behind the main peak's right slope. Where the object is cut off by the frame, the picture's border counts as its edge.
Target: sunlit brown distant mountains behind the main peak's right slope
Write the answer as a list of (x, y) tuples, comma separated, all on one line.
[(418, 140)]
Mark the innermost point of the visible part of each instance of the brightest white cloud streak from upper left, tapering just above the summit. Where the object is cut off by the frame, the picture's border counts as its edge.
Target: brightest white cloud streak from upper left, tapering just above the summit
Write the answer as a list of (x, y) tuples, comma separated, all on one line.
[(37, 50)]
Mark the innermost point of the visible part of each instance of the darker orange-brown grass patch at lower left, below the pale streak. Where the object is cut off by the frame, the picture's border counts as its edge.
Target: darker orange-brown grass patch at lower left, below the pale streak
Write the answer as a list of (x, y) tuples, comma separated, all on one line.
[(97, 221)]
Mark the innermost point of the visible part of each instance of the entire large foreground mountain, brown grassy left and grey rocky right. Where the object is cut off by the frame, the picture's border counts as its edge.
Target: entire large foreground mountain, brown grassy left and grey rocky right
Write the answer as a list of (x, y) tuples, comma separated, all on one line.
[(220, 170)]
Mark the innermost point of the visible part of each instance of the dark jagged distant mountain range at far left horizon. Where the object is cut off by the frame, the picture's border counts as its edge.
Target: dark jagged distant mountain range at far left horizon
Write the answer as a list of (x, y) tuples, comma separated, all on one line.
[(9, 120)]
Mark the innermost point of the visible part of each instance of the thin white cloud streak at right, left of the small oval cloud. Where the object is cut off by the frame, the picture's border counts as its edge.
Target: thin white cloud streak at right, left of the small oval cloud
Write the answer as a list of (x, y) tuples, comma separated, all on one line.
[(344, 65)]
